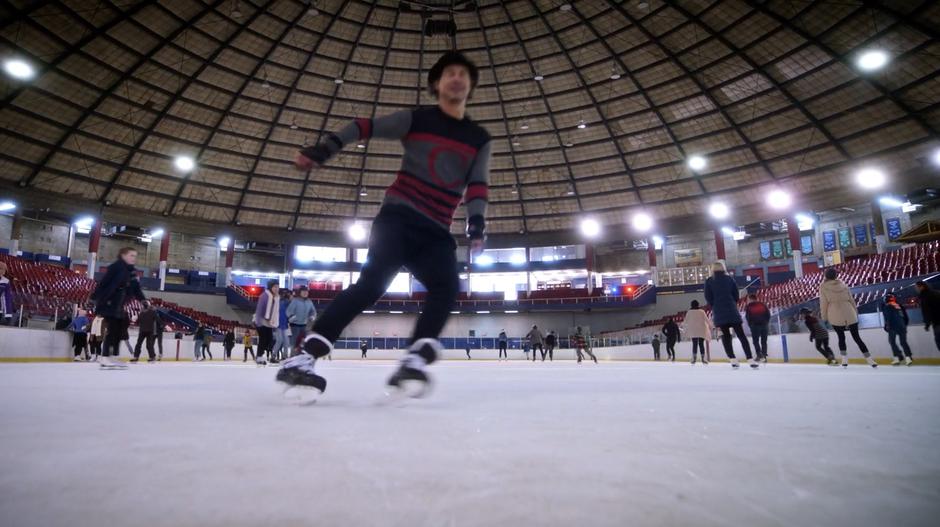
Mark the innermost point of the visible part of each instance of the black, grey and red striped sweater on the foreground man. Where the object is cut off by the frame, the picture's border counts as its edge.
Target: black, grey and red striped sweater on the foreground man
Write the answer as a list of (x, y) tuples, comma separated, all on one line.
[(446, 160)]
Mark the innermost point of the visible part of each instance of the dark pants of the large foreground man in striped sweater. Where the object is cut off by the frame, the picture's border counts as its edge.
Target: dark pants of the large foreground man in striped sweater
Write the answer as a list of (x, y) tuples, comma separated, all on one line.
[(400, 237)]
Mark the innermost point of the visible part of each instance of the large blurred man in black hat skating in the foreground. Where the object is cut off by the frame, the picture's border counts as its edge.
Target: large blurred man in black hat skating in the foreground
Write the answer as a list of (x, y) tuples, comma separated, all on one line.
[(446, 159)]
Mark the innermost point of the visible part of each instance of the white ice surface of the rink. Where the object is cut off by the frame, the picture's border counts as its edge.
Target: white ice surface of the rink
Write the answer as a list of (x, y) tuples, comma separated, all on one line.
[(626, 443)]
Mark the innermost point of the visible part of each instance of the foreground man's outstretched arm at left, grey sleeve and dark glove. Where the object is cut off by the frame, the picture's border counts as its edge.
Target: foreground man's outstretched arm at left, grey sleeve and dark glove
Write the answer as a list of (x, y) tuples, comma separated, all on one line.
[(392, 126)]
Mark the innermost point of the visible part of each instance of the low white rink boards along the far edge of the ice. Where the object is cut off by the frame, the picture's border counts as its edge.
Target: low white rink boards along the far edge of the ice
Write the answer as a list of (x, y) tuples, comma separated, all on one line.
[(36, 344)]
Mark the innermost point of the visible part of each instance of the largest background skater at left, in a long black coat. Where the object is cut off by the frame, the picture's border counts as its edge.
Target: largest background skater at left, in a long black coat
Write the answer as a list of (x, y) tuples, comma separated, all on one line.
[(118, 285)]
